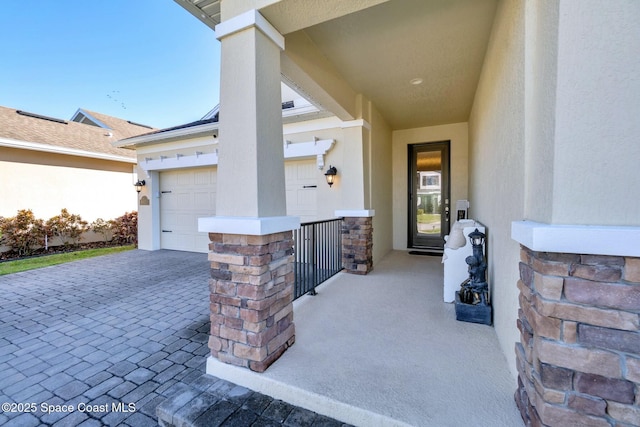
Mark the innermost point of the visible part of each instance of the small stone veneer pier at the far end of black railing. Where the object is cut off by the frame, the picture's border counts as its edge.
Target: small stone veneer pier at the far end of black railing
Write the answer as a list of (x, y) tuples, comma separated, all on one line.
[(357, 244)]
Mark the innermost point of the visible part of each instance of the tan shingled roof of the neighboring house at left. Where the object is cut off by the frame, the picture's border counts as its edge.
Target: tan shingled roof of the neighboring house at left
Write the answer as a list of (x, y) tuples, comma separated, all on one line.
[(20, 129)]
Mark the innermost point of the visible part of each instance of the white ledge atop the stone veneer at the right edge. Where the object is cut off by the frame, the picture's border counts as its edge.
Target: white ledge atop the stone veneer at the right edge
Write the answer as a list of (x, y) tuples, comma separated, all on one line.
[(577, 239)]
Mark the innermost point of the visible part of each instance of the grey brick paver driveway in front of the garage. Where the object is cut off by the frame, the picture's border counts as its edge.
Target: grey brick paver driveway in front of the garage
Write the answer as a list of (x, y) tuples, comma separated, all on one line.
[(109, 336)]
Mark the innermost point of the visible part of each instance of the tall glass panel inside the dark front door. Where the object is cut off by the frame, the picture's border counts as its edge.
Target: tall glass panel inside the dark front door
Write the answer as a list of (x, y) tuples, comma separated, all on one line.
[(429, 192)]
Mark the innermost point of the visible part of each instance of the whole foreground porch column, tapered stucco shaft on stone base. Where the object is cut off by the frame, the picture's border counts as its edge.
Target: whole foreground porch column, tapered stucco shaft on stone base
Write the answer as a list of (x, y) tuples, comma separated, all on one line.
[(251, 249)]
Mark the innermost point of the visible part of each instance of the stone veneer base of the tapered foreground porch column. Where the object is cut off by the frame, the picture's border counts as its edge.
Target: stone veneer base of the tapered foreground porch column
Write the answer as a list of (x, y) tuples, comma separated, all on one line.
[(251, 286)]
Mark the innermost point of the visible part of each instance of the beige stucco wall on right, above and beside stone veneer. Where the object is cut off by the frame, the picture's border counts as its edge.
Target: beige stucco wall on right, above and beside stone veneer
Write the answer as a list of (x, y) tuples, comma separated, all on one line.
[(552, 132)]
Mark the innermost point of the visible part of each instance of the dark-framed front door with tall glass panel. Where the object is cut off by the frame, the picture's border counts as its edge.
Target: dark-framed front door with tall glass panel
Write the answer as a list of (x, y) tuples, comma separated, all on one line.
[(428, 195)]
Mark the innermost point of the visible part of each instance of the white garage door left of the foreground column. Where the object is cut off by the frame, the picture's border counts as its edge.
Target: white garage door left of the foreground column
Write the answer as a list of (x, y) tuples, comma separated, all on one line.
[(185, 196)]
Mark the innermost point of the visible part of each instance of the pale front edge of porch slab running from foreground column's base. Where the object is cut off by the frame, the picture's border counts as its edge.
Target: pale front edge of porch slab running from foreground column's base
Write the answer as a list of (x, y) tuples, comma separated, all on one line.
[(299, 397)]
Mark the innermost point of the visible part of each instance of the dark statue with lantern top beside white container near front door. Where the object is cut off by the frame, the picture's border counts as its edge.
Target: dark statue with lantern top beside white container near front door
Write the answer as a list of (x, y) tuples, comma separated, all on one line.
[(475, 290)]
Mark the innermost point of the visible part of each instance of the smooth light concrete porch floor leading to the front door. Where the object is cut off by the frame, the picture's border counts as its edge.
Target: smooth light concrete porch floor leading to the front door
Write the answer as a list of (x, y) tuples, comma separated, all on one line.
[(383, 349)]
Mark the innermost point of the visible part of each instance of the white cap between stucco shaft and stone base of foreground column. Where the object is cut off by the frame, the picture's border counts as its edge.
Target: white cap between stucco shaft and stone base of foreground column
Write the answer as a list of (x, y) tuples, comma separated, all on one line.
[(251, 226)]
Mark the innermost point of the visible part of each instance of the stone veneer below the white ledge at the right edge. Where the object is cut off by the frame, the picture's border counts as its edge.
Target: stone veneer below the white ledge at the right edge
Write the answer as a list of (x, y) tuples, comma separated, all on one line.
[(579, 355)]
